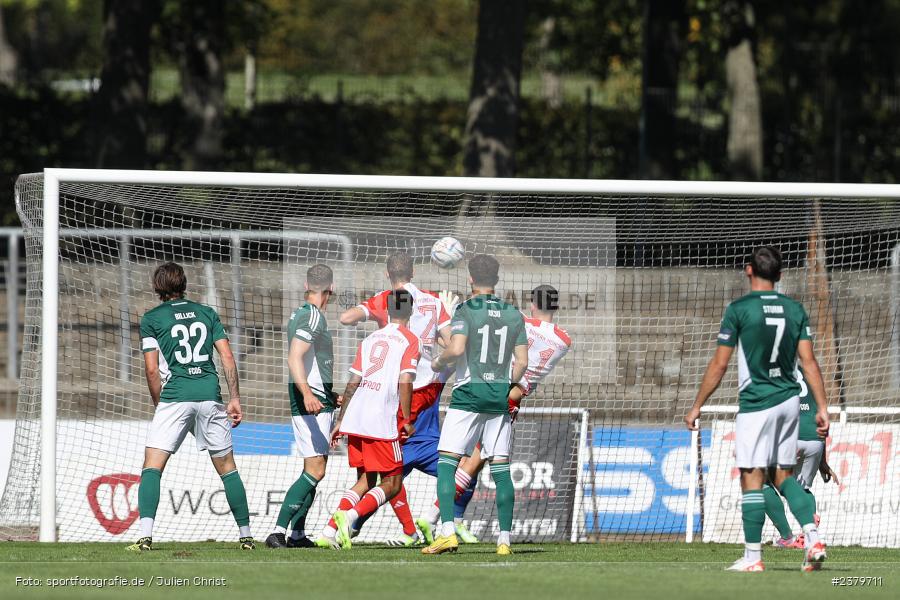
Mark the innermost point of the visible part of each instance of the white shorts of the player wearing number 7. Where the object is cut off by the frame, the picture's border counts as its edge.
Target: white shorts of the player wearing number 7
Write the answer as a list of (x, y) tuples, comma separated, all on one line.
[(768, 438)]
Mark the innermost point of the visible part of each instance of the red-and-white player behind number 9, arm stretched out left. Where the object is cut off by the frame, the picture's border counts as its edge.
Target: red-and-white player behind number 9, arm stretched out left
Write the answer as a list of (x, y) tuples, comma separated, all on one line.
[(430, 322)]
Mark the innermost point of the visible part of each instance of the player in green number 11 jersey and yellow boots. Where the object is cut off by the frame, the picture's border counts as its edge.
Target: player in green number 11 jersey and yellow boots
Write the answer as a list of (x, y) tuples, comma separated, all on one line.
[(486, 333)]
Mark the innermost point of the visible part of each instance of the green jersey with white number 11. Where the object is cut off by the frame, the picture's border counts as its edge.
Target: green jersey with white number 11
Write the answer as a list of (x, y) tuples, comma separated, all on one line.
[(493, 329)]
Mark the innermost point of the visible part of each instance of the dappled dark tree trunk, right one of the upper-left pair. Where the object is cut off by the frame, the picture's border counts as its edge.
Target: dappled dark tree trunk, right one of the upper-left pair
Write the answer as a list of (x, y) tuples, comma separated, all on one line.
[(200, 42)]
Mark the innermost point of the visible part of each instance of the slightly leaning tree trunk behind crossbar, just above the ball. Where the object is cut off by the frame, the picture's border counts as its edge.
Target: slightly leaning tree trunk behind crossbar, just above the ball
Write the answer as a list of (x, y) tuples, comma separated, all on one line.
[(494, 95)]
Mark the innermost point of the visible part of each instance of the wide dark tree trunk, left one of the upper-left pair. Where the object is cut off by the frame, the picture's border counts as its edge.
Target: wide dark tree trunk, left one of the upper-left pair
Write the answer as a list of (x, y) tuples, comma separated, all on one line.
[(121, 106)]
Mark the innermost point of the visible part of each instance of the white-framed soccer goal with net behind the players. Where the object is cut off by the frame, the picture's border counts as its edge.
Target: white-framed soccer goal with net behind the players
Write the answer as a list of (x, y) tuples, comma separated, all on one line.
[(644, 270)]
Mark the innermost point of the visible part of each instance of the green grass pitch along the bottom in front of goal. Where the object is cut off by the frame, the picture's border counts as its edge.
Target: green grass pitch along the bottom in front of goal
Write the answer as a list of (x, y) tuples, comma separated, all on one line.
[(666, 571)]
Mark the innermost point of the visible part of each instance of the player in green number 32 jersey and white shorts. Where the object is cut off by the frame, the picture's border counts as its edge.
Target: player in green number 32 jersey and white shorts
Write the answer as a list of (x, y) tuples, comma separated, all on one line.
[(178, 338)]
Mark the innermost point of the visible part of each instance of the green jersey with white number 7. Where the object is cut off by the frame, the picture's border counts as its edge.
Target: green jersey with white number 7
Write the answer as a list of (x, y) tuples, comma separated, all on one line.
[(766, 327)]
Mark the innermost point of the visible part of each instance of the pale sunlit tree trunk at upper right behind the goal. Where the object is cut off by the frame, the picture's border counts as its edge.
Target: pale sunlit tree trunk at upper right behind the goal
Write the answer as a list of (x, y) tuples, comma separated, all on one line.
[(745, 139)]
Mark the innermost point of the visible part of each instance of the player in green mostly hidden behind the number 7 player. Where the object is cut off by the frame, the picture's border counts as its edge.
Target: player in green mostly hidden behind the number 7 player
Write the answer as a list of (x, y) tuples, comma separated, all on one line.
[(810, 459)]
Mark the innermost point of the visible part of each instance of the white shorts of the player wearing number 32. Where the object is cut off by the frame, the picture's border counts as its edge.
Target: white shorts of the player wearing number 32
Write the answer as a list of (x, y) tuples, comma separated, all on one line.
[(206, 420)]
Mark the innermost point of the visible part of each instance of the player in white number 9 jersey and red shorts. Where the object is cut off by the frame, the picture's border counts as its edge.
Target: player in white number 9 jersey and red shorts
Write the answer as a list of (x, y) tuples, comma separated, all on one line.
[(380, 386)]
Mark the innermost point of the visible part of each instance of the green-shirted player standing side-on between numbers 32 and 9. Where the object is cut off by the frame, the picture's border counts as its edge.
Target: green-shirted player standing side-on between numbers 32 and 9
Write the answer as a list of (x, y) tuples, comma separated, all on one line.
[(311, 367)]
